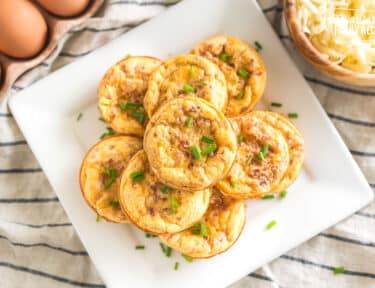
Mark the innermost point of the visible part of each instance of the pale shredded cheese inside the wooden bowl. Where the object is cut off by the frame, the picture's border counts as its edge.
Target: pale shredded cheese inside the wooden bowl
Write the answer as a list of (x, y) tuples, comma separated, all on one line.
[(344, 30)]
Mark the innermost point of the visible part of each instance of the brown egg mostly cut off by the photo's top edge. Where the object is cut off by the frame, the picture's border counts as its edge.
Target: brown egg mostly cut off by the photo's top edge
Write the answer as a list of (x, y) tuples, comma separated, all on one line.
[(65, 8)]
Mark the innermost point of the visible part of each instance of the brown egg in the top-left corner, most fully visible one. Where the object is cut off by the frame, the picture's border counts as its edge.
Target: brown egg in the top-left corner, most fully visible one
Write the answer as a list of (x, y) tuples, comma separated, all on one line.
[(23, 30)]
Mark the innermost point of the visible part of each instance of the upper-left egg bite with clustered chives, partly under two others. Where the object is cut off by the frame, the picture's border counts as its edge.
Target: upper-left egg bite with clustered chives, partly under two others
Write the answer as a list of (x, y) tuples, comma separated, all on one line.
[(121, 93)]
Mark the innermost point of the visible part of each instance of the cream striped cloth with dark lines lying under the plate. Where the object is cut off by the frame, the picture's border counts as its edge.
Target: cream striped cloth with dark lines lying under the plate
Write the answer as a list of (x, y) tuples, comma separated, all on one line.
[(39, 247)]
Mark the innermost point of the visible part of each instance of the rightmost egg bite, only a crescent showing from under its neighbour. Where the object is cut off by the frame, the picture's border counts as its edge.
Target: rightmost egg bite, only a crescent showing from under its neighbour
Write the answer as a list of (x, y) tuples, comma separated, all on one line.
[(295, 143)]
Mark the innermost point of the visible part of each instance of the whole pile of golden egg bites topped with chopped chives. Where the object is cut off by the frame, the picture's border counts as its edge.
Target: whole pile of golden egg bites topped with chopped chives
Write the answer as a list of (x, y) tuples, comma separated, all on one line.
[(188, 148)]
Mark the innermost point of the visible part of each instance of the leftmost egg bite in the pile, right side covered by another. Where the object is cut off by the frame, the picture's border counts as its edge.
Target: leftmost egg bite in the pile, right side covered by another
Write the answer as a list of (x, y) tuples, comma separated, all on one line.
[(111, 153)]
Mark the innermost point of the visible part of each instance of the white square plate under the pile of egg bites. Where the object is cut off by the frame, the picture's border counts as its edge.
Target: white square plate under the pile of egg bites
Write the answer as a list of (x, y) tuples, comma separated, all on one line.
[(330, 188)]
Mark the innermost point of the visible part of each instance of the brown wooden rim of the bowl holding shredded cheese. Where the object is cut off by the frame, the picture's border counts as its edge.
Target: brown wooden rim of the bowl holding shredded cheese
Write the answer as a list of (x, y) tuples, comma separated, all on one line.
[(318, 59)]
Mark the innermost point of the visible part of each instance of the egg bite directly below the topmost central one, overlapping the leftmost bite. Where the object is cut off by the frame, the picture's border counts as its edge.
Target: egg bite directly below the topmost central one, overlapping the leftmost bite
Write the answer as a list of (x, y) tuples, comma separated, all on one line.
[(155, 207)]
